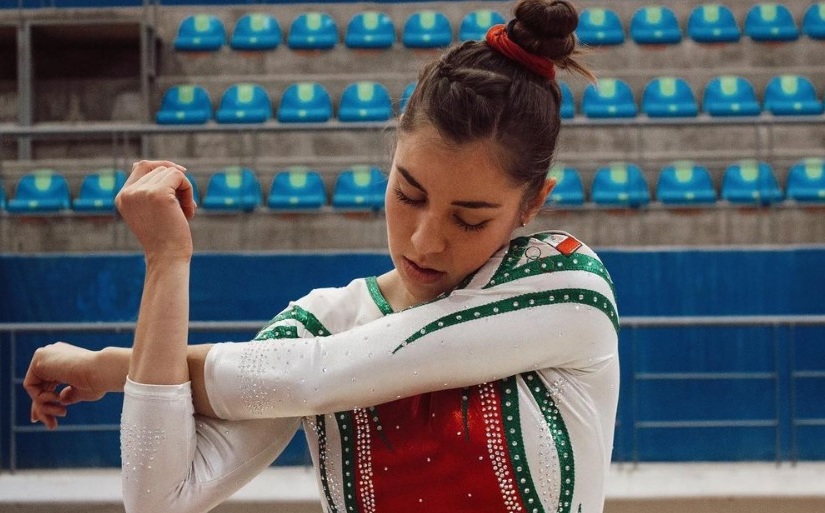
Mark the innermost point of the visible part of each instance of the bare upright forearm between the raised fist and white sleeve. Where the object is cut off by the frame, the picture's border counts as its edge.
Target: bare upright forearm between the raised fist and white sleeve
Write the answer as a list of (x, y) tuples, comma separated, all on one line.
[(160, 347)]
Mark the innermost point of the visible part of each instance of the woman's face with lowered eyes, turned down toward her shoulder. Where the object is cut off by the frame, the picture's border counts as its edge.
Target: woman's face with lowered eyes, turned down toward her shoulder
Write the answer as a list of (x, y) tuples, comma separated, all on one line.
[(449, 208)]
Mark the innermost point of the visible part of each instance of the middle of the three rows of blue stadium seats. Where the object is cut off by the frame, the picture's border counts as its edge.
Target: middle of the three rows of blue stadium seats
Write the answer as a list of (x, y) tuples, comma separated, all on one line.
[(310, 102)]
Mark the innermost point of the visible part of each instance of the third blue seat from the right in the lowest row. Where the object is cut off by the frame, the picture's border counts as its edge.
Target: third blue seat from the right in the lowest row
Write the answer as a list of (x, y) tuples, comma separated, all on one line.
[(685, 183)]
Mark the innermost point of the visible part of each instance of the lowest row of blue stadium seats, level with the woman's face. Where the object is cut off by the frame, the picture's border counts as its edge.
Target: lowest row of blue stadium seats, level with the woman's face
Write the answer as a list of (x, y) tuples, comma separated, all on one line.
[(683, 183)]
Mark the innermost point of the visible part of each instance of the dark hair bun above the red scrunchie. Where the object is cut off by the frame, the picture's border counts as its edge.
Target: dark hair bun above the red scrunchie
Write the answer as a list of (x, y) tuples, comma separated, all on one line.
[(546, 28)]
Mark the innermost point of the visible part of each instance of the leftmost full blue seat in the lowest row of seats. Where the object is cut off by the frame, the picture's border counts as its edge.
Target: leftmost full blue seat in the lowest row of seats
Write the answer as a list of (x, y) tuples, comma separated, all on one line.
[(43, 190)]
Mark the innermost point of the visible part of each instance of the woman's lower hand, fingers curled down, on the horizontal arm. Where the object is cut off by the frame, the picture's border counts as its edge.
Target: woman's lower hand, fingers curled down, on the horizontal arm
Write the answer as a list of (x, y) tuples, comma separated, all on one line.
[(61, 364)]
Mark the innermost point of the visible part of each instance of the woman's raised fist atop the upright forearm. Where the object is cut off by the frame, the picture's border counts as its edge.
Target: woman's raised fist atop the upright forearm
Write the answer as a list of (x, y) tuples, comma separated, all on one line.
[(156, 202)]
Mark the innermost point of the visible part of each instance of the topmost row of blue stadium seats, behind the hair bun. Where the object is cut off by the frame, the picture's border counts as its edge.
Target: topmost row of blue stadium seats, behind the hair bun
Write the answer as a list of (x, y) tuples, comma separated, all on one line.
[(317, 30)]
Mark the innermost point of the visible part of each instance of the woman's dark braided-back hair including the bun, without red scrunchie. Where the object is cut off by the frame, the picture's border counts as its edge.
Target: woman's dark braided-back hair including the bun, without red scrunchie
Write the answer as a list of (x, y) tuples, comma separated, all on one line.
[(474, 92)]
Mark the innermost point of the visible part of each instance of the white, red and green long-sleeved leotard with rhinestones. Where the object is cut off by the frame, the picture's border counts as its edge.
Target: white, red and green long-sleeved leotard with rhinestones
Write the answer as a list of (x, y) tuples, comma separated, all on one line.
[(499, 397)]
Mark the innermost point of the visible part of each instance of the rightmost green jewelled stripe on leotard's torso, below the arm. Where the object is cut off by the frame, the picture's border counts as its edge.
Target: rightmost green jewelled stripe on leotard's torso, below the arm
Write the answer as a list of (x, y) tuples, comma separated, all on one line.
[(561, 438)]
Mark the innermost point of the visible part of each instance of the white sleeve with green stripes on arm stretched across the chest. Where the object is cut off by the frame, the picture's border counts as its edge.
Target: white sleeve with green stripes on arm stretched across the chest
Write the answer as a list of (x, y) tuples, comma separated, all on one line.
[(549, 310)]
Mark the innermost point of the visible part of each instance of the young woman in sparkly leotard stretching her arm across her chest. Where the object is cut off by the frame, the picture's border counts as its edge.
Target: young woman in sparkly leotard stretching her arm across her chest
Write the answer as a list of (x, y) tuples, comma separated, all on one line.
[(480, 374)]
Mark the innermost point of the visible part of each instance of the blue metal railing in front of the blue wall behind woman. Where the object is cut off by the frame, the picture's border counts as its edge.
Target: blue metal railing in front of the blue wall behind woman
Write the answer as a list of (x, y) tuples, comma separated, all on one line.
[(784, 374)]
